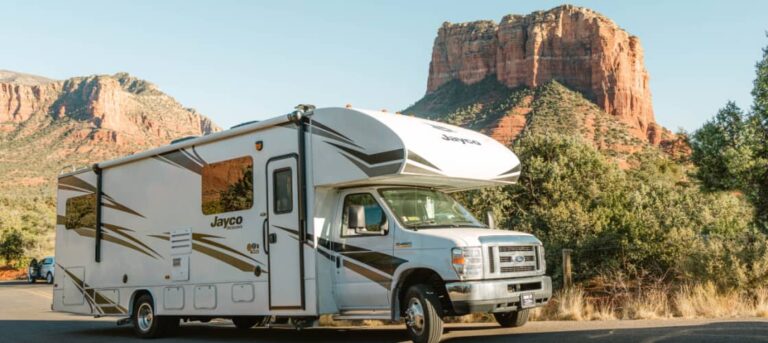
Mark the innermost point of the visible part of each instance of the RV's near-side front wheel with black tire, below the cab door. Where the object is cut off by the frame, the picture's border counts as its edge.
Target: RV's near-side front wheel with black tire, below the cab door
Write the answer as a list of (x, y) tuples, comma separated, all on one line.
[(422, 314)]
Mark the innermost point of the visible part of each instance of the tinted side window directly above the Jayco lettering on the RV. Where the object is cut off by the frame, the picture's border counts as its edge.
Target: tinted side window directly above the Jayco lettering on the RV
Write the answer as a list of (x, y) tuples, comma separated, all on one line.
[(228, 186)]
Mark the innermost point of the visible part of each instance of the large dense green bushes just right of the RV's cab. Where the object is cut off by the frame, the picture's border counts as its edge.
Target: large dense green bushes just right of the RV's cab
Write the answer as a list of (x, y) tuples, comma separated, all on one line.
[(647, 222)]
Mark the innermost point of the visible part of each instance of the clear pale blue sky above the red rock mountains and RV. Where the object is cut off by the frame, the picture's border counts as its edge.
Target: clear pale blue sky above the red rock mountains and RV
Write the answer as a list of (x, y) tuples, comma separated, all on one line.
[(237, 61)]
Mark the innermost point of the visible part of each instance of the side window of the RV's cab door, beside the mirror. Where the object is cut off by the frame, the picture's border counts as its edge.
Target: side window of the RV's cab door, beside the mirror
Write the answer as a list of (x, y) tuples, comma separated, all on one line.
[(375, 219)]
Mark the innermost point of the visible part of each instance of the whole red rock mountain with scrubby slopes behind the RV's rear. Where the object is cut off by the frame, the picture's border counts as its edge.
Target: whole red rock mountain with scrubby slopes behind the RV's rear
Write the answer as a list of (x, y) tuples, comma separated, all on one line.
[(47, 124)]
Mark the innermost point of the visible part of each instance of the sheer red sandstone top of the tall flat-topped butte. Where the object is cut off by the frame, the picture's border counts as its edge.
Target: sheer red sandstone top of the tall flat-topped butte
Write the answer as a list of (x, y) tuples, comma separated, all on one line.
[(575, 46)]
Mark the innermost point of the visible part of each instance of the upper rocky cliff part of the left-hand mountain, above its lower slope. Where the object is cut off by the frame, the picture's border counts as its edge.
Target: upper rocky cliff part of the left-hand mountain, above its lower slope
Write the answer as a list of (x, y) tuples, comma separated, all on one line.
[(117, 108)]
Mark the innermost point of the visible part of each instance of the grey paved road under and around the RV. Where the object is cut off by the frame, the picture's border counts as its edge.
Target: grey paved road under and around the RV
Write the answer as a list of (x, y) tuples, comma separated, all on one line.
[(25, 316)]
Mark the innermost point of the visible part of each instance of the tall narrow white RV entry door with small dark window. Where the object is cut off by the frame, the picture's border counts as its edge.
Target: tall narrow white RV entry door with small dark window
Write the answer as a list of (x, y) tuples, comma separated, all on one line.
[(283, 234)]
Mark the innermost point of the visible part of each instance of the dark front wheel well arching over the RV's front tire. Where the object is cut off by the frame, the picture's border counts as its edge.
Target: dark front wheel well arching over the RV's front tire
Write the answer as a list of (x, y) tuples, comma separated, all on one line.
[(420, 276)]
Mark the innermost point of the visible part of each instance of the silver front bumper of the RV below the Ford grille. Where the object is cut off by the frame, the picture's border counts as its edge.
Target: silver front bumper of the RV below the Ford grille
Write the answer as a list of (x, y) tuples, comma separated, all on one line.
[(497, 295)]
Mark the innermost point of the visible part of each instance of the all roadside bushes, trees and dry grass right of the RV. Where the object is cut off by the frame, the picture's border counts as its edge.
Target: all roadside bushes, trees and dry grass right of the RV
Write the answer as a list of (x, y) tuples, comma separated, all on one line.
[(661, 237)]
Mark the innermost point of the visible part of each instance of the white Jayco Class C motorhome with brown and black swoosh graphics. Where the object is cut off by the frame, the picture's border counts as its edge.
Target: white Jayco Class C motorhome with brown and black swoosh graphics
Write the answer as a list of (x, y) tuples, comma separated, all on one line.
[(322, 211)]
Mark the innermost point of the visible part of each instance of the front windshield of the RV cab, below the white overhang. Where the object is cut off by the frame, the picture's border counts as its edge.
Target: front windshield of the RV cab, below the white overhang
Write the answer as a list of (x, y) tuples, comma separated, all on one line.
[(417, 208)]
